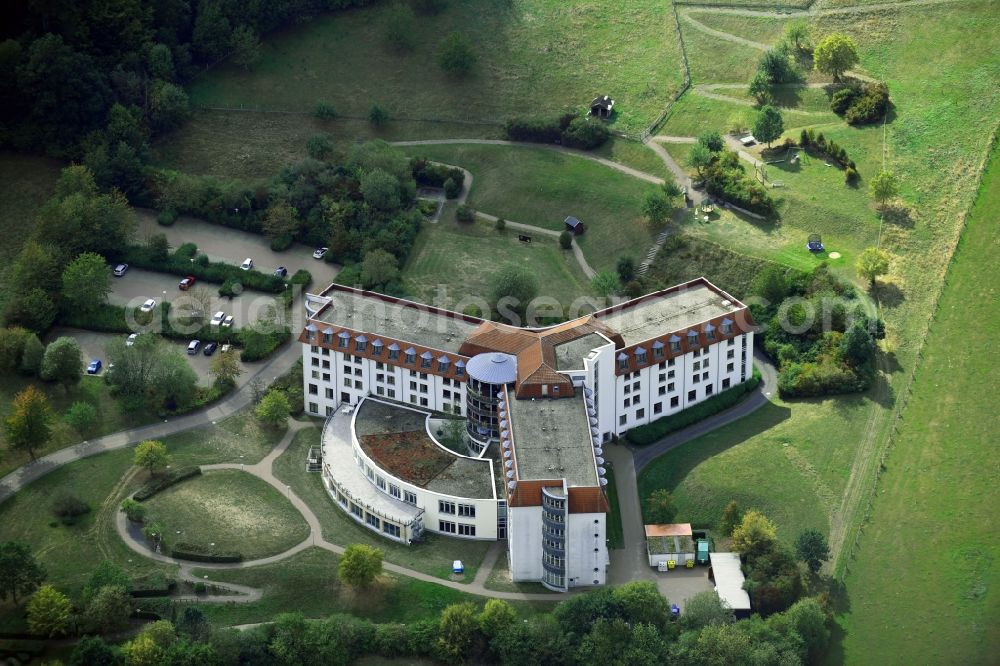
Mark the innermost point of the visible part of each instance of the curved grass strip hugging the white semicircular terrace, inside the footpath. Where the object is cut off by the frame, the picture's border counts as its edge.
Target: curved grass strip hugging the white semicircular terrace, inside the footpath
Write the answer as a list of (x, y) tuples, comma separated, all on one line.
[(432, 556)]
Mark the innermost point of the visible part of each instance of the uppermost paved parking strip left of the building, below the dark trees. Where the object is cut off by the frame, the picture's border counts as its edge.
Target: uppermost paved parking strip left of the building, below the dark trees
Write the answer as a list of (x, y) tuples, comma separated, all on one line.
[(233, 246)]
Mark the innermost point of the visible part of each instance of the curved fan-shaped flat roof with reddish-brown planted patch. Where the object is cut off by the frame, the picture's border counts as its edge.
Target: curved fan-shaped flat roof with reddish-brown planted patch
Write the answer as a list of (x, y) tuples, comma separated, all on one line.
[(396, 439)]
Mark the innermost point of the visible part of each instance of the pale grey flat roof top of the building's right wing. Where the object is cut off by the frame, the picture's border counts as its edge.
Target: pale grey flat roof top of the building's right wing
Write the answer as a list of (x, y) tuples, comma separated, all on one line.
[(663, 313)]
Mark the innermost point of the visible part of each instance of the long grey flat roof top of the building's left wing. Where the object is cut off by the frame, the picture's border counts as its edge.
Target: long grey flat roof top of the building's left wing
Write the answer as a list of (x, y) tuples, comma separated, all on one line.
[(412, 322)]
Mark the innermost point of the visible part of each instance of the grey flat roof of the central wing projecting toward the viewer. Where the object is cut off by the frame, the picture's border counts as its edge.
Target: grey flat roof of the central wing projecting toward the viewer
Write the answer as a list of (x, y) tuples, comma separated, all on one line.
[(552, 440)]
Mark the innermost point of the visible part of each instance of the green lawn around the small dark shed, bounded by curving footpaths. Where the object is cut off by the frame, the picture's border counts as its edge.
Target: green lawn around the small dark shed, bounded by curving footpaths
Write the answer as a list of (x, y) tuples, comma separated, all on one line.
[(542, 187)]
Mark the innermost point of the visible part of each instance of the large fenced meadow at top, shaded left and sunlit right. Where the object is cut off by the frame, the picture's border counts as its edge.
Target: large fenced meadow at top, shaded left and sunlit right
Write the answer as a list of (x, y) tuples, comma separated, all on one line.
[(543, 56)]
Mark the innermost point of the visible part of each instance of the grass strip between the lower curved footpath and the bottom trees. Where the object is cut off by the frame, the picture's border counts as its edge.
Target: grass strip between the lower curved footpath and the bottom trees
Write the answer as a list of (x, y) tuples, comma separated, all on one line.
[(308, 583)]
